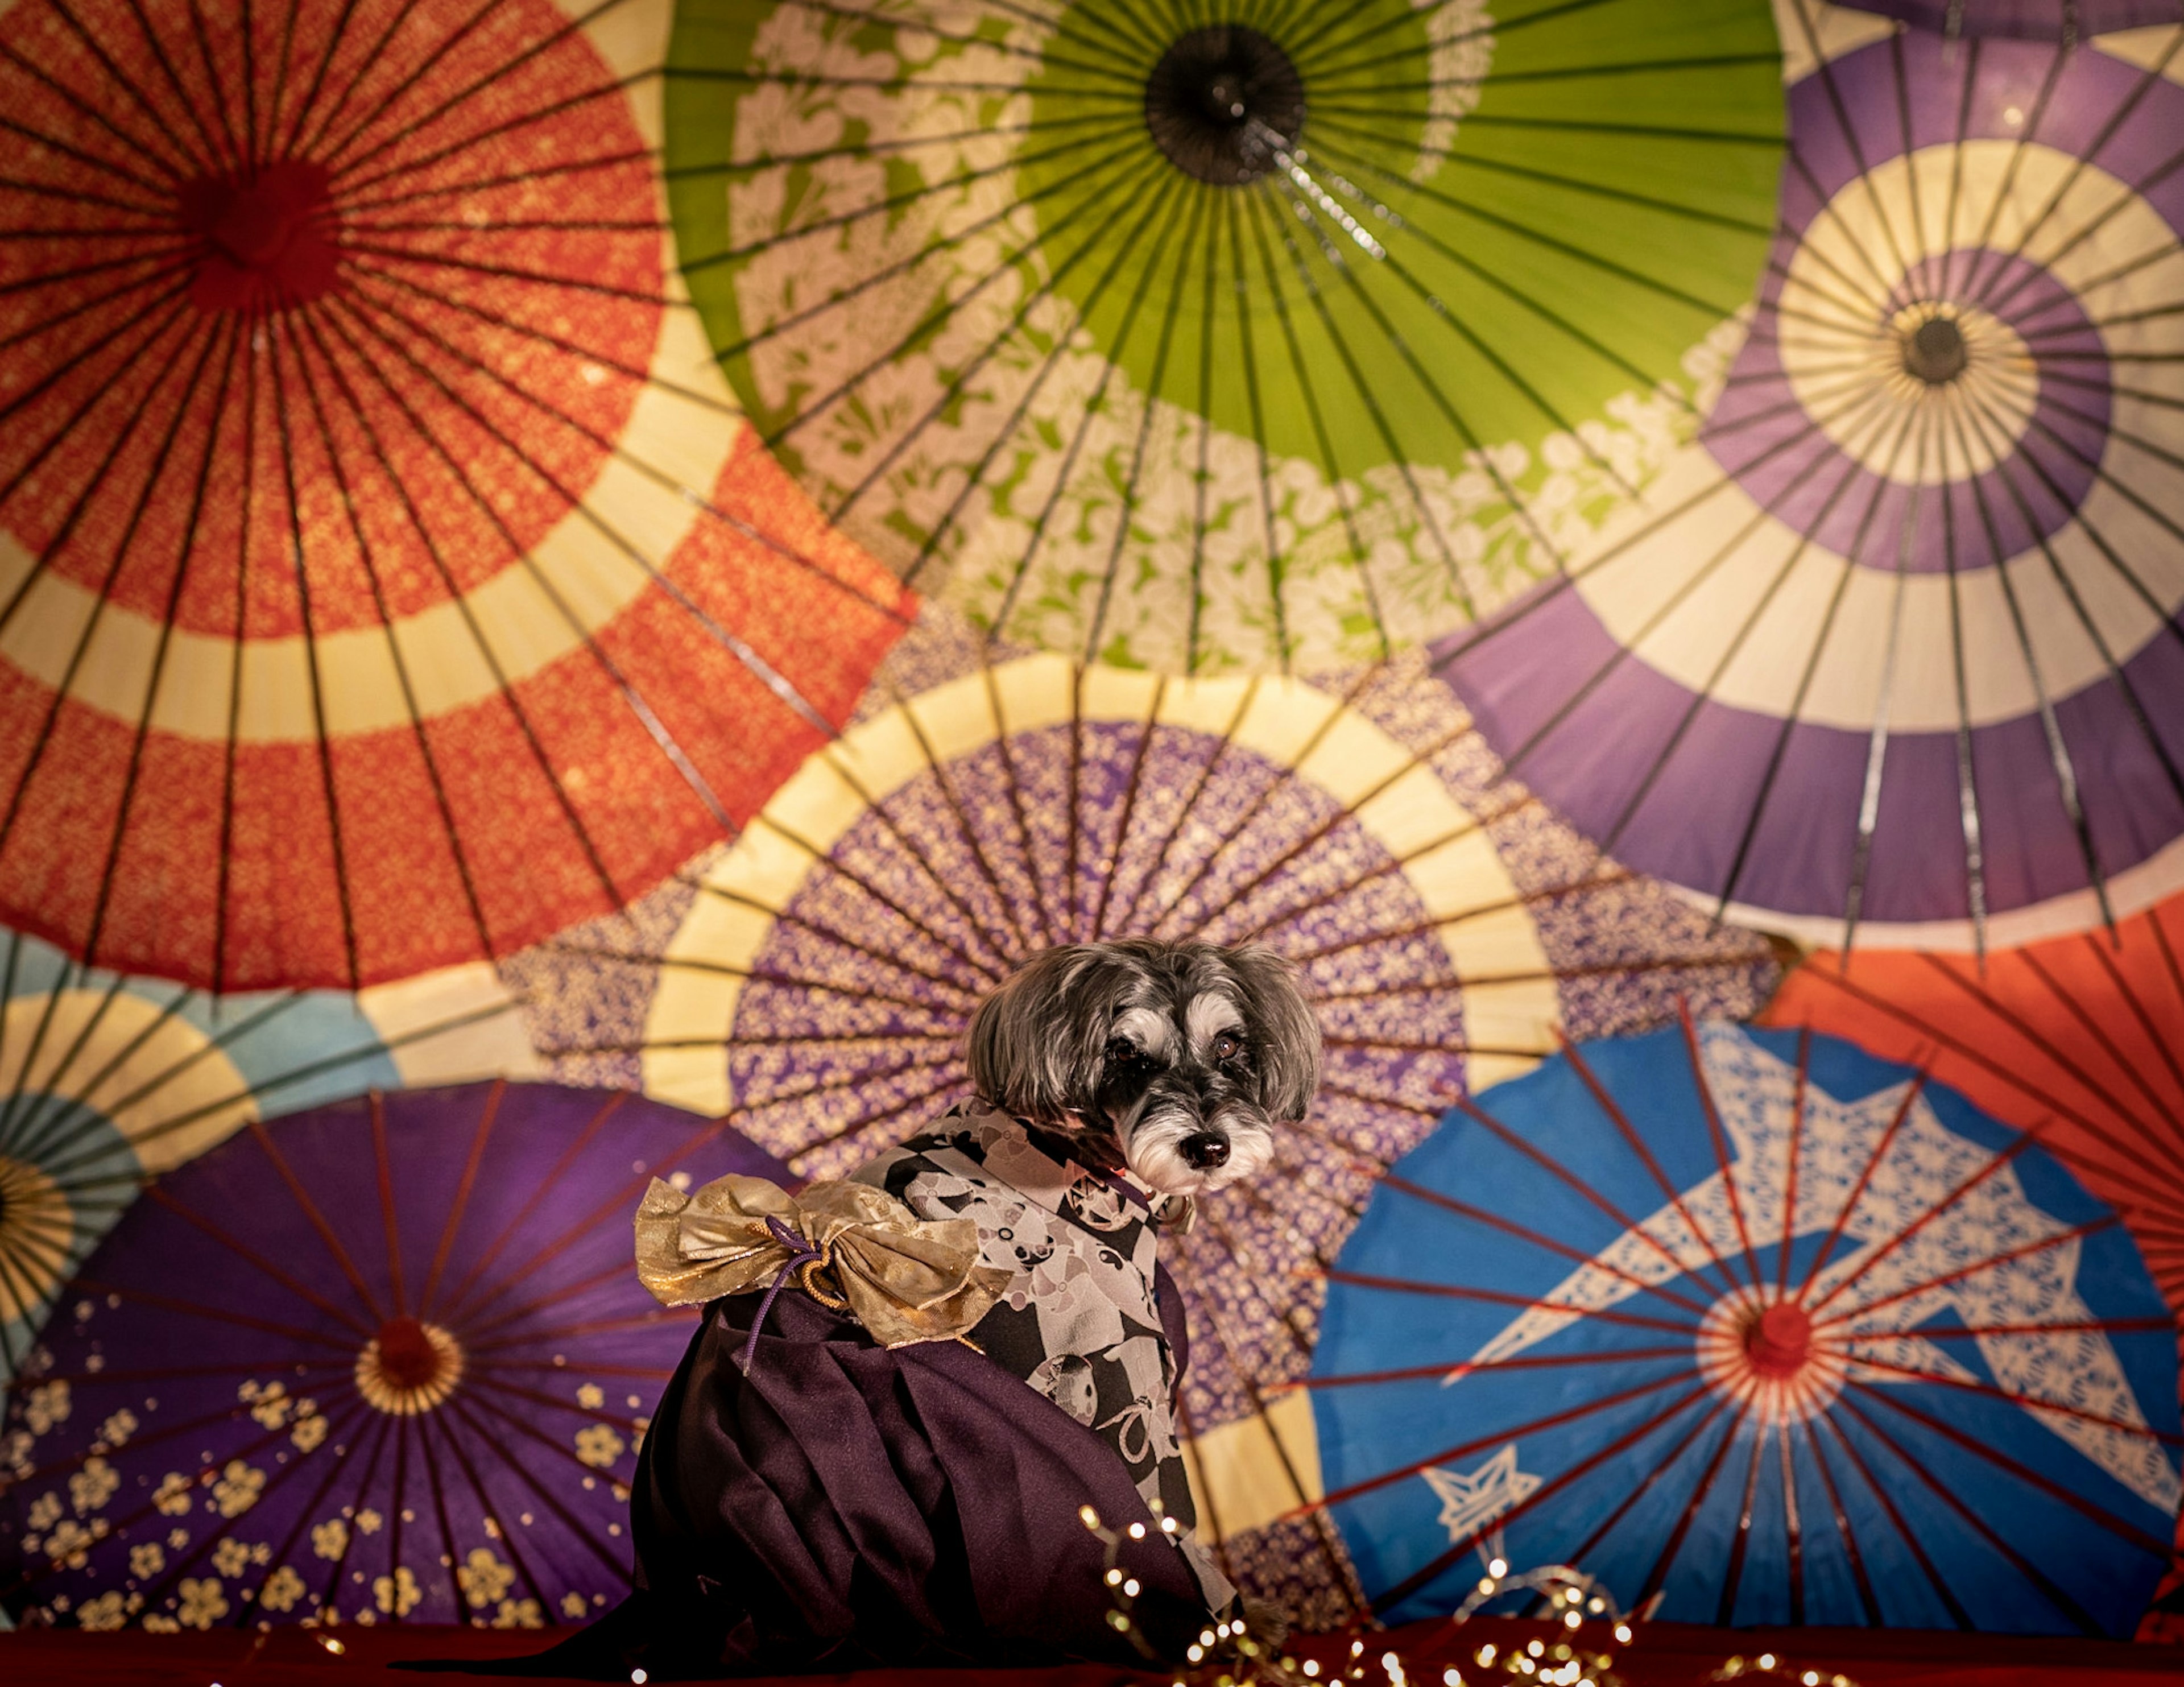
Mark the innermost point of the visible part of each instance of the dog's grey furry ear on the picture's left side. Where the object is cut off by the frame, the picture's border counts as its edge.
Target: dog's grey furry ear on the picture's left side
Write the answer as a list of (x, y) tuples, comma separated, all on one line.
[(1036, 1046)]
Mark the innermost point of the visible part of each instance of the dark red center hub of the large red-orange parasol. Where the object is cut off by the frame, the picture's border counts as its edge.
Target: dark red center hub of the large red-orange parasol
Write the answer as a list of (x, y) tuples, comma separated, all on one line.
[(265, 239)]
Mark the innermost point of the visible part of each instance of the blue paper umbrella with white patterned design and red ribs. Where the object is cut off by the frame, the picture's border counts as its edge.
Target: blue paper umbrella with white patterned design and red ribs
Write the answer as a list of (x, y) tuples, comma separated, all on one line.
[(1764, 1330)]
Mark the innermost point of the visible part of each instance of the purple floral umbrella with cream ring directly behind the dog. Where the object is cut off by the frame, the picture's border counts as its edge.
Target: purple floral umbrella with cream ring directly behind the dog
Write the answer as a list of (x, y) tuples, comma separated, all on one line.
[(816, 984)]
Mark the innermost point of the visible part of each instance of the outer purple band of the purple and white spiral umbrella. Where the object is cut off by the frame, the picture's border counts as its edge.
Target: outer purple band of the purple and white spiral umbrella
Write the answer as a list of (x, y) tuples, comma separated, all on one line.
[(1678, 805)]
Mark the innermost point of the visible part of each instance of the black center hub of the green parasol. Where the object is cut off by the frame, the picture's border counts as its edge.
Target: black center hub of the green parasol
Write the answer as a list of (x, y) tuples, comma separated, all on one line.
[(1222, 102)]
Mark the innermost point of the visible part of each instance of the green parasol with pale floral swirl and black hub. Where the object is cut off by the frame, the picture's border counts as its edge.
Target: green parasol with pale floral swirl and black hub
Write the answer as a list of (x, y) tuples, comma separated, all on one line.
[(1253, 335)]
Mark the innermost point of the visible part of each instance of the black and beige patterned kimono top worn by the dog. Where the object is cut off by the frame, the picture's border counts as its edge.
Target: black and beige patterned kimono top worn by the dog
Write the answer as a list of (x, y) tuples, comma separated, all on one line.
[(1082, 1317)]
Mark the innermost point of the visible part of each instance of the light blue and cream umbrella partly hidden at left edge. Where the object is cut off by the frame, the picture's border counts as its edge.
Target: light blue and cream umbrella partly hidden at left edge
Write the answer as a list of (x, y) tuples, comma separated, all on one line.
[(108, 1081)]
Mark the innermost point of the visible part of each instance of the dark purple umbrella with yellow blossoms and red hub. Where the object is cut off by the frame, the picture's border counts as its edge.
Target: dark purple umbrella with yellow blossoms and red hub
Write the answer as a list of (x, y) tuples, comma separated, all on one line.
[(385, 1360)]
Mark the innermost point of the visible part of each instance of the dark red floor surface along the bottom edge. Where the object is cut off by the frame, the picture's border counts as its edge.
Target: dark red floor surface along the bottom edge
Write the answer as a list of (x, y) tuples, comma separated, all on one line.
[(1665, 1655)]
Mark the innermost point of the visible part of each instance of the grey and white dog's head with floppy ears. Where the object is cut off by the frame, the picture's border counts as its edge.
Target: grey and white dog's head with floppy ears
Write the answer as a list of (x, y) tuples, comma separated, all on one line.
[(1183, 1057)]
